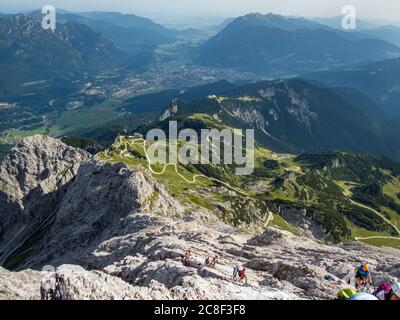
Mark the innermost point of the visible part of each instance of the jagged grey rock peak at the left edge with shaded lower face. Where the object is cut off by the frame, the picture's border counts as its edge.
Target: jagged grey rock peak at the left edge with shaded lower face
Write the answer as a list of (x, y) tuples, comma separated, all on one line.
[(33, 178)]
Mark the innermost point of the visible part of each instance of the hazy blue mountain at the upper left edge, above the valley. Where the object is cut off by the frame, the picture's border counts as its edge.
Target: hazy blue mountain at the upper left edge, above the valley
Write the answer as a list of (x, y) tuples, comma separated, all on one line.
[(29, 54)]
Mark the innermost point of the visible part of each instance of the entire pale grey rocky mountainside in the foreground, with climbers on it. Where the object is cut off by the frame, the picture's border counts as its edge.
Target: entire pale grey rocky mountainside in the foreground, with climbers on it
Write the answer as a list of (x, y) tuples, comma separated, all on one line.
[(73, 226)]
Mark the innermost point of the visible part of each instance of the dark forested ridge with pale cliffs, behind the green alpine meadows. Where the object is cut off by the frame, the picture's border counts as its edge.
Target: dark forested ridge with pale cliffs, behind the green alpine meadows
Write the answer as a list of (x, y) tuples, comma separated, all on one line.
[(300, 122)]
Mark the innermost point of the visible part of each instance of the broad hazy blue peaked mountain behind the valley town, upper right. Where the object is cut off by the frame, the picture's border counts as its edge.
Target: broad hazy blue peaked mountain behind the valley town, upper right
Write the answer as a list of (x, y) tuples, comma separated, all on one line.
[(282, 46)]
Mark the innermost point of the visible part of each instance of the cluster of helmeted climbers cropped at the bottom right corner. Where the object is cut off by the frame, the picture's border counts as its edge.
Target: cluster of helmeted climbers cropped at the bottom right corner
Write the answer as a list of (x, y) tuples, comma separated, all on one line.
[(362, 278)]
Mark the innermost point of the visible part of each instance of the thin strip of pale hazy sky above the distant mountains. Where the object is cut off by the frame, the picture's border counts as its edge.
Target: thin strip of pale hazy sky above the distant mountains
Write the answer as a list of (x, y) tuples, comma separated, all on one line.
[(374, 9)]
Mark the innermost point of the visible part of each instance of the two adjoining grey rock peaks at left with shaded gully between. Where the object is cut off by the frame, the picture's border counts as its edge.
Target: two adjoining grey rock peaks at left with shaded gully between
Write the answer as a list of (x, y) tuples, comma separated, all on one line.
[(61, 202)]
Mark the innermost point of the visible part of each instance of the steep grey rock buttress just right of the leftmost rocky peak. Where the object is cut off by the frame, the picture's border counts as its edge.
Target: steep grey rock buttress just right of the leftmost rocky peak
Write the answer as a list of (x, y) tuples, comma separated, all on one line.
[(98, 206)]
